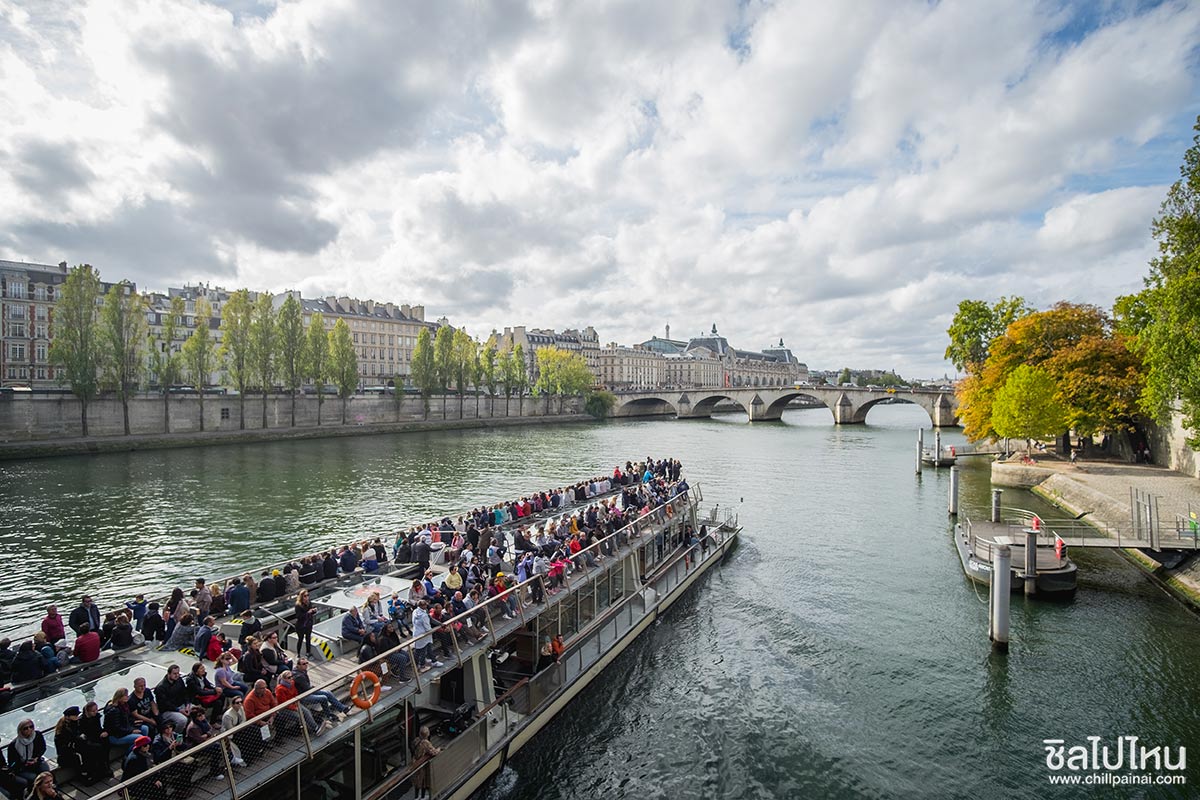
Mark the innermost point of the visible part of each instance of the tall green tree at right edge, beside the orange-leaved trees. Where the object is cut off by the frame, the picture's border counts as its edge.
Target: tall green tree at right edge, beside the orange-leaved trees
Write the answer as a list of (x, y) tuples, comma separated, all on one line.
[(1168, 335)]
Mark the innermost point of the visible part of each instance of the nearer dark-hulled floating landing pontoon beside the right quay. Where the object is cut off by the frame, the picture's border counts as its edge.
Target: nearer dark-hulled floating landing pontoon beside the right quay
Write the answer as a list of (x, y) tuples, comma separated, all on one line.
[(976, 544)]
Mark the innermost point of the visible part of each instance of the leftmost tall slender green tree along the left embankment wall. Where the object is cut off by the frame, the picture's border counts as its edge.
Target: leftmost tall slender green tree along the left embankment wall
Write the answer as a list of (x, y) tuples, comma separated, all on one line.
[(76, 346)]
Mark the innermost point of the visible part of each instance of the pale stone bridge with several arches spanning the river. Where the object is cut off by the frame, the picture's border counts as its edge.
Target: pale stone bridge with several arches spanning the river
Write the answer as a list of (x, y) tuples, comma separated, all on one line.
[(849, 405)]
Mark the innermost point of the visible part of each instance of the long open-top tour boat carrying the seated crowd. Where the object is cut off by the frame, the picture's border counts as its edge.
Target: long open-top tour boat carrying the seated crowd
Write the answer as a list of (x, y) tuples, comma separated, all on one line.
[(484, 705)]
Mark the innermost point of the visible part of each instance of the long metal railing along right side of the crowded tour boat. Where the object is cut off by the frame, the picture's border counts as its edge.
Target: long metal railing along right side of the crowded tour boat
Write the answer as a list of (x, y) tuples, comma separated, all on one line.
[(291, 737)]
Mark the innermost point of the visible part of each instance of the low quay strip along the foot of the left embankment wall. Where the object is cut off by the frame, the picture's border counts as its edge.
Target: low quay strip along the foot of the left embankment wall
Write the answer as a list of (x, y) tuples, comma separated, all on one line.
[(82, 446)]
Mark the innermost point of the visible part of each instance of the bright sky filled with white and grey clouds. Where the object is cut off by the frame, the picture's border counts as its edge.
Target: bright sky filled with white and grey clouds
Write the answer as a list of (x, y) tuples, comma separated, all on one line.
[(835, 175)]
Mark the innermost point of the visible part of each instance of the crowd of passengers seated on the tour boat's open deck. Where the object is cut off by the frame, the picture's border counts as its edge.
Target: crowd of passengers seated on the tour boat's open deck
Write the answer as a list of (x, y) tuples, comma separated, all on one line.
[(490, 551)]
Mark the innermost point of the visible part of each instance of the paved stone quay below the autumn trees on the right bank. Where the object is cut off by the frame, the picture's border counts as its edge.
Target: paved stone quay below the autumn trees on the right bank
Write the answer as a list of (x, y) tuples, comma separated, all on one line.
[(1100, 492)]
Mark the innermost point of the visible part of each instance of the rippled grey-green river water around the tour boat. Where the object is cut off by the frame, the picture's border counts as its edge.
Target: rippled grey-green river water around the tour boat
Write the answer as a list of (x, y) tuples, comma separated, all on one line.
[(839, 653)]
